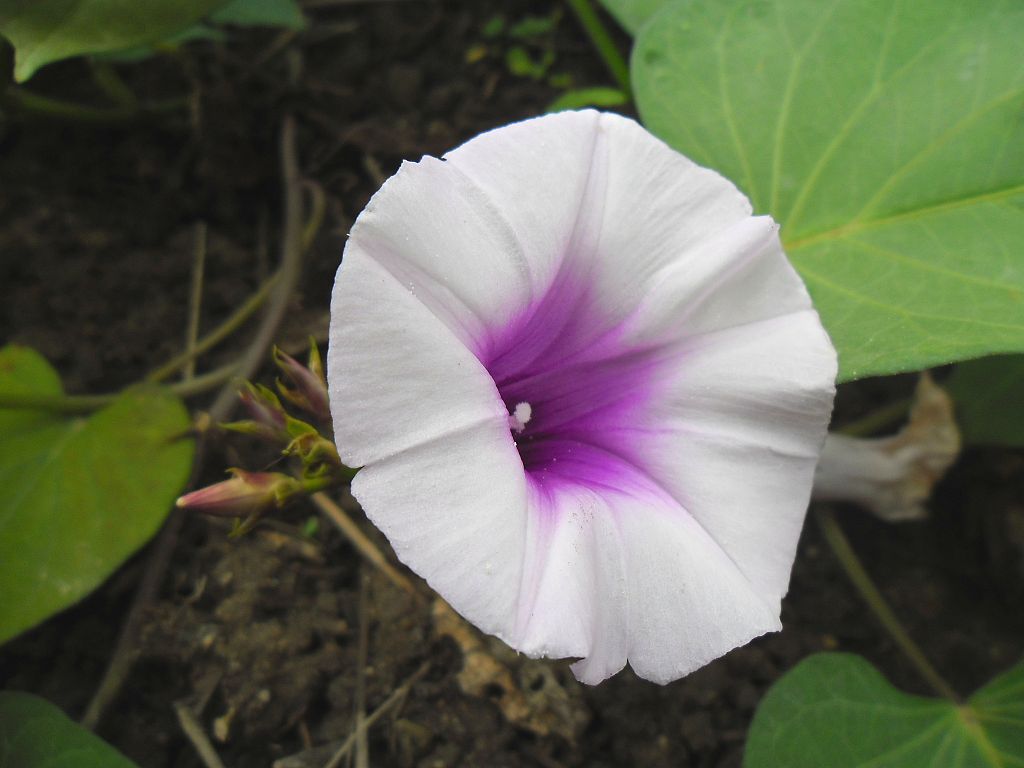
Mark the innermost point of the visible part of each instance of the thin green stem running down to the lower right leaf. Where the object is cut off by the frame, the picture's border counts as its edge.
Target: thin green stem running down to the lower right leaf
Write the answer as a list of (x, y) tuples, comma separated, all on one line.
[(870, 593)]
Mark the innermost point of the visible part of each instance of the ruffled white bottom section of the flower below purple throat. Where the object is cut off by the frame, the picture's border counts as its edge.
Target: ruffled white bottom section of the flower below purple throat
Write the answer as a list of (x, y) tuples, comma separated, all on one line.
[(633, 577)]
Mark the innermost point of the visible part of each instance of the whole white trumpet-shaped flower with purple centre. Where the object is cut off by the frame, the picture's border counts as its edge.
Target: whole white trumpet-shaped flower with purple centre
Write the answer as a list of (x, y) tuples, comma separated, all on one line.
[(587, 391)]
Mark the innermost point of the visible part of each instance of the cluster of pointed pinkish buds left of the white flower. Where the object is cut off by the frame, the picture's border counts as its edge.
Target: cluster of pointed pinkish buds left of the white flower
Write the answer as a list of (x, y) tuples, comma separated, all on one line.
[(250, 496)]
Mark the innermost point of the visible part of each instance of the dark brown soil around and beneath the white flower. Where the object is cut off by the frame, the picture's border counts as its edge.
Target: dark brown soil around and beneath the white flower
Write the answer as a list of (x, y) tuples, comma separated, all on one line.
[(264, 633)]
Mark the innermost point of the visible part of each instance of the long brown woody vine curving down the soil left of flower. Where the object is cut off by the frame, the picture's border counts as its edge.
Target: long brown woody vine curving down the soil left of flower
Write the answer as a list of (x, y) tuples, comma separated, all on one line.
[(125, 653)]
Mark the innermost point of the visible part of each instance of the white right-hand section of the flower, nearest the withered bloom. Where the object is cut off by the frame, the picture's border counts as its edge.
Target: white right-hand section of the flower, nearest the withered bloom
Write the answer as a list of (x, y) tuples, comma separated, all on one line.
[(737, 437)]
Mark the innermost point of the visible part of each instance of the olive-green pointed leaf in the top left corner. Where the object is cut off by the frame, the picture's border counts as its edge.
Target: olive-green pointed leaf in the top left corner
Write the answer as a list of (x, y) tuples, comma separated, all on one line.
[(46, 31)]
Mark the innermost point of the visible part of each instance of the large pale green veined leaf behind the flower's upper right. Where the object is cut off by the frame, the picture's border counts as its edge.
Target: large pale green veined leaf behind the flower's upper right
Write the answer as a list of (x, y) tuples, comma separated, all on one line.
[(886, 137)]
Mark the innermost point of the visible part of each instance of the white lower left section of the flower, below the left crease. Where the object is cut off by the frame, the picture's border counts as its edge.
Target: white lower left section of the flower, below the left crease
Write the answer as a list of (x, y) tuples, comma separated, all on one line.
[(455, 513)]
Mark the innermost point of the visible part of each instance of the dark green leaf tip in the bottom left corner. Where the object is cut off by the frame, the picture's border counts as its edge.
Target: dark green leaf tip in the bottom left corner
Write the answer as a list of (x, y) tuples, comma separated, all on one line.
[(34, 734)]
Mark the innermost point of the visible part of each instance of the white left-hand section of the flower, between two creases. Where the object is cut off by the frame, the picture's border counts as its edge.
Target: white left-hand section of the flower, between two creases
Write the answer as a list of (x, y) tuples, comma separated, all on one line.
[(399, 376)]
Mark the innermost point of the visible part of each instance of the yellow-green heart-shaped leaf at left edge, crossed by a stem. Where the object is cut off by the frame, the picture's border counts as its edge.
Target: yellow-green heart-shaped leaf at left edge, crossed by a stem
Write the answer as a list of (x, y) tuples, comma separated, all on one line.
[(78, 495)]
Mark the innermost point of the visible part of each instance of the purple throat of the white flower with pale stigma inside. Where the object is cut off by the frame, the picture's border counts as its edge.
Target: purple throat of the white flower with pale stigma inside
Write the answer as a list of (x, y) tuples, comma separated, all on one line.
[(574, 390)]
